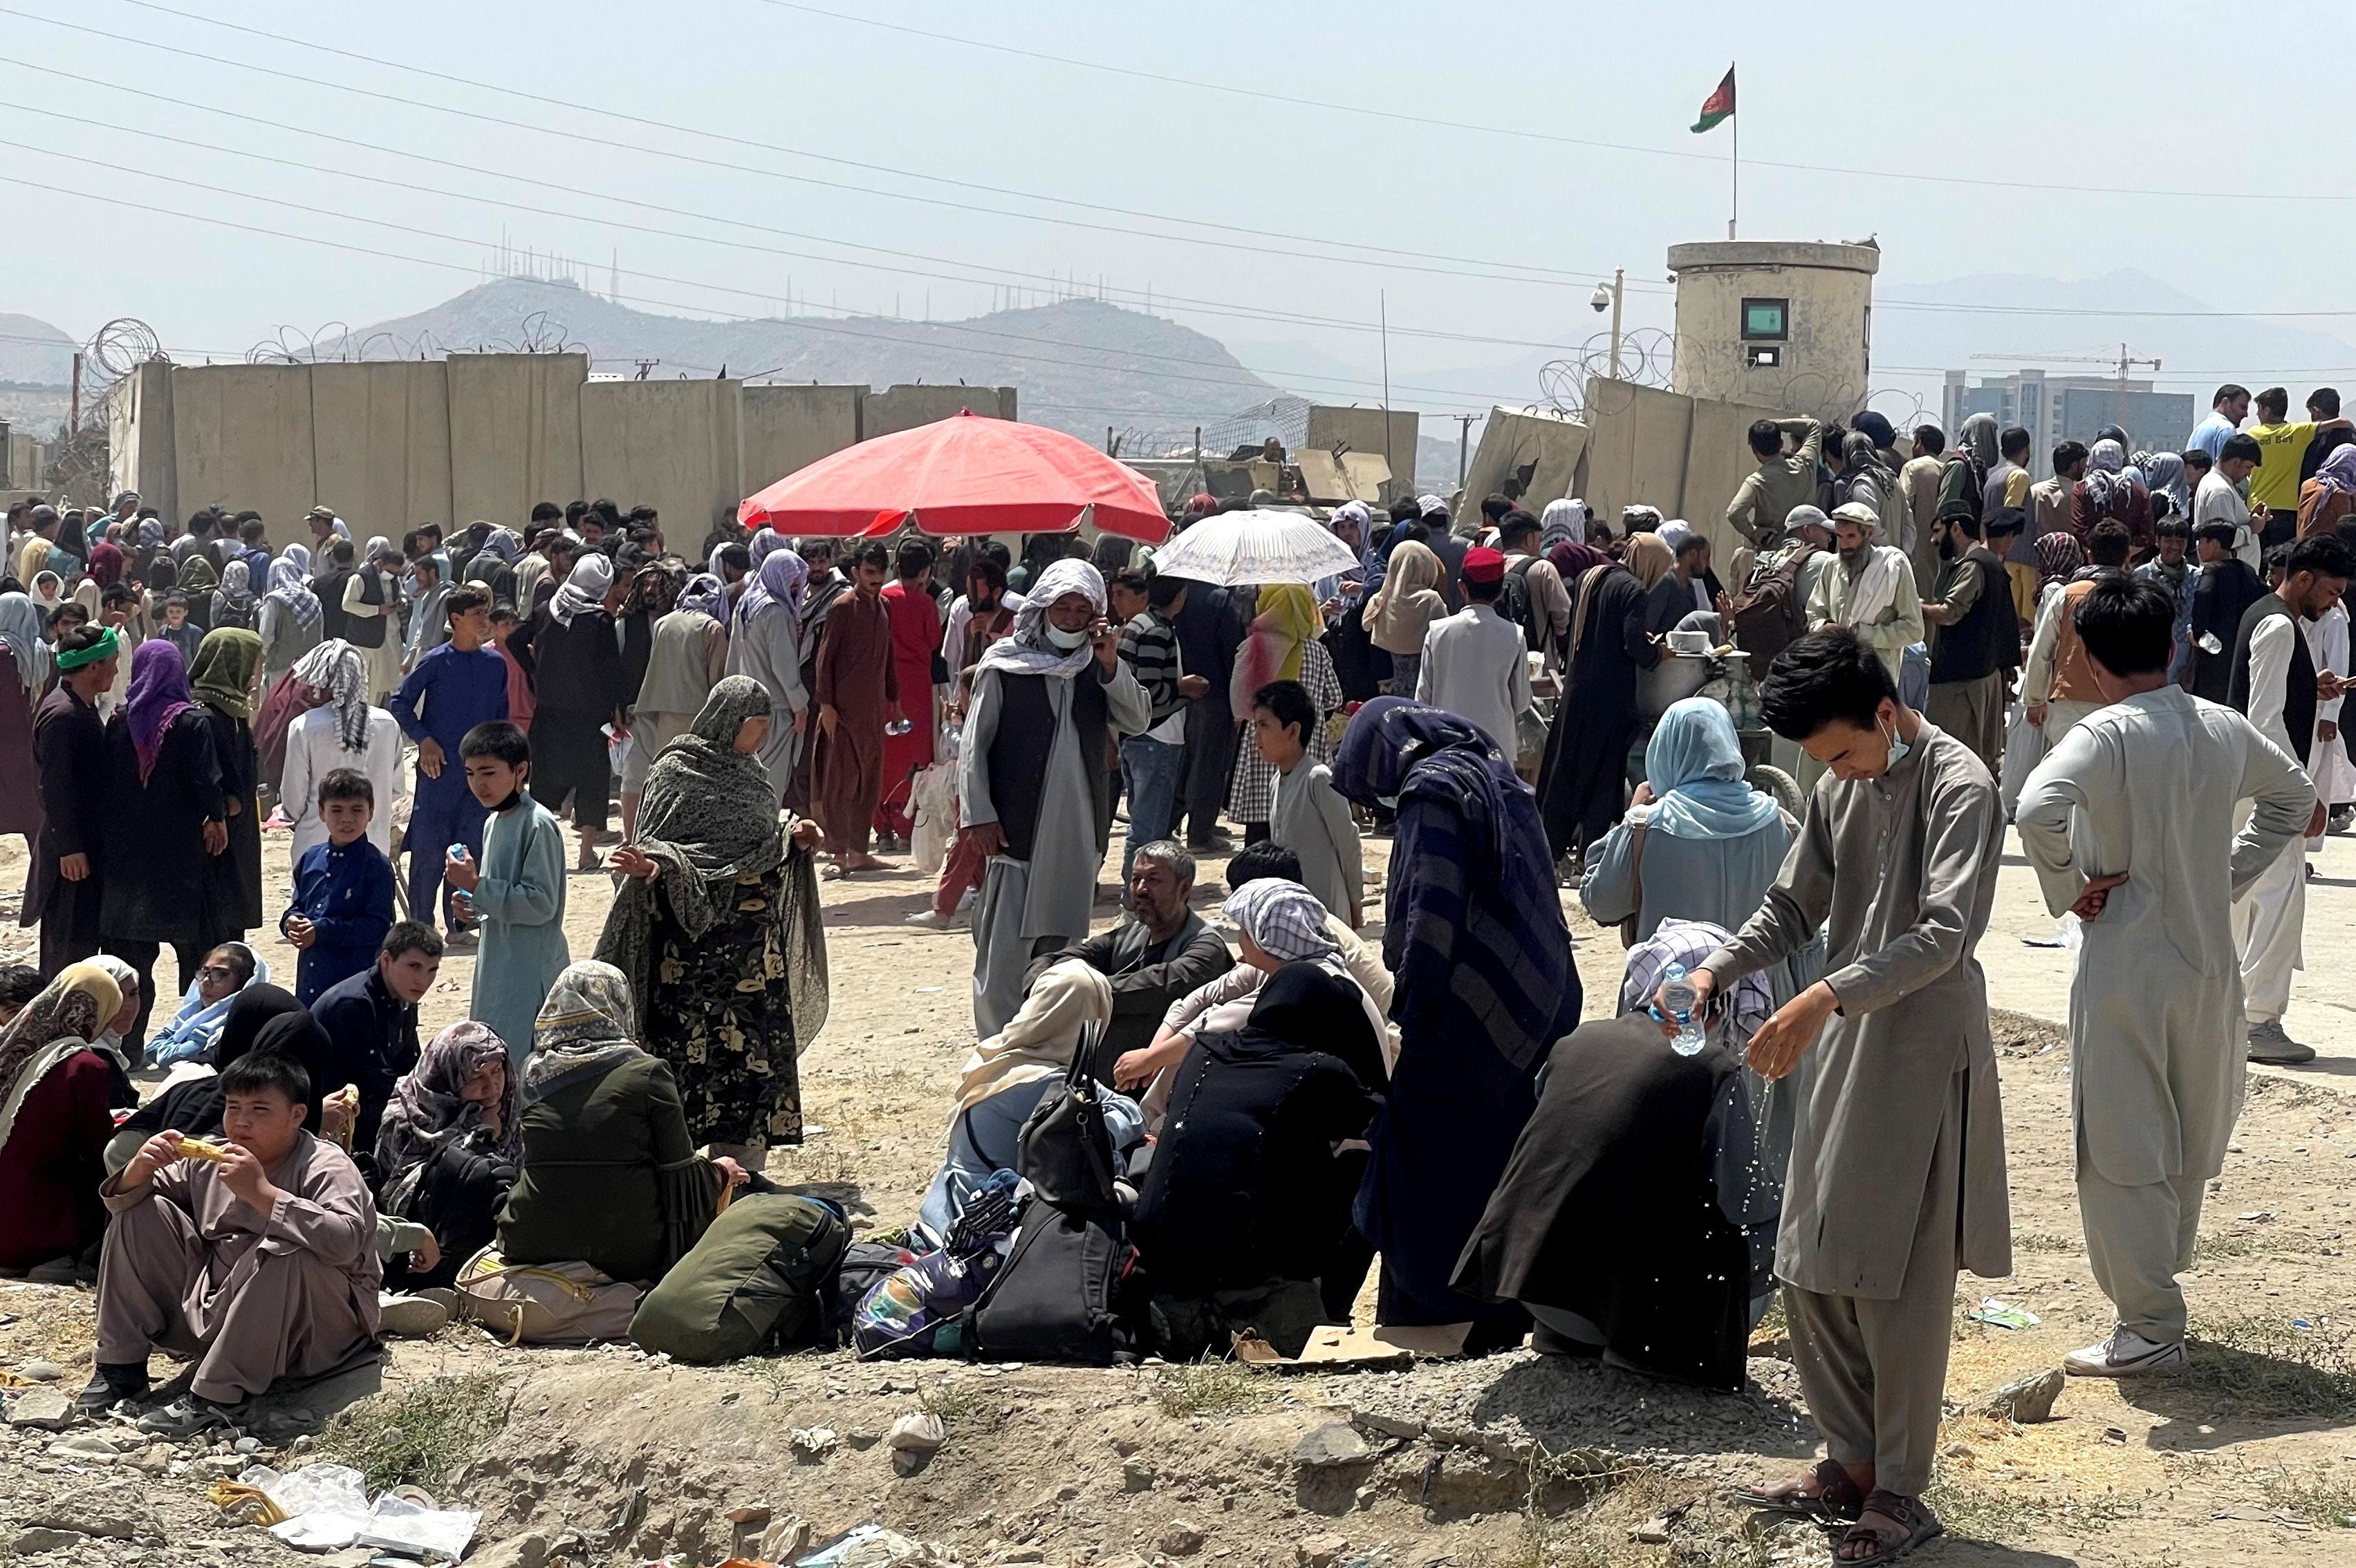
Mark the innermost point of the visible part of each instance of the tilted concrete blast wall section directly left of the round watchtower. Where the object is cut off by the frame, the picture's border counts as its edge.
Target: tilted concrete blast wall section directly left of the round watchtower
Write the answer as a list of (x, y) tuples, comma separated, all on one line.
[(1657, 449)]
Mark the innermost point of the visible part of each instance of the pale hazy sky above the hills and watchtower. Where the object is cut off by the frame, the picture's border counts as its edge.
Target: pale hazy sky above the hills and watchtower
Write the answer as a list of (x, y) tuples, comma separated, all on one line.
[(1163, 187)]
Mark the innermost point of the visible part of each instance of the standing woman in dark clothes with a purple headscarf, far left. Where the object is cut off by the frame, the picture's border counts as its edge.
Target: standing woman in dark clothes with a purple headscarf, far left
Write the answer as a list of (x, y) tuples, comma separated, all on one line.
[(168, 818)]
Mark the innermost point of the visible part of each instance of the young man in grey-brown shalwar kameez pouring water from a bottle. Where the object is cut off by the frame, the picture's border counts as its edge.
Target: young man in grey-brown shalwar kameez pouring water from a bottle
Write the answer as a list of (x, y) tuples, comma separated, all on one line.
[(1898, 1169)]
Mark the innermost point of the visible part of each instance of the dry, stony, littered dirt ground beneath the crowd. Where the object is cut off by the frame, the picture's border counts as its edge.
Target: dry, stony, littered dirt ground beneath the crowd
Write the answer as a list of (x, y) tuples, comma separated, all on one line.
[(1514, 1461)]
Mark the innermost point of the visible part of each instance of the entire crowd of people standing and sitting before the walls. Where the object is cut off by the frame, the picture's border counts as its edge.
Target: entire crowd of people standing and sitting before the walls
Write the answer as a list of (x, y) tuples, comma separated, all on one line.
[(1945, 644)]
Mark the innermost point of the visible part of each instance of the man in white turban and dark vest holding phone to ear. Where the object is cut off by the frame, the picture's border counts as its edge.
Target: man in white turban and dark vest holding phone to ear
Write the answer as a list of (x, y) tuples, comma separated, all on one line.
[(1033, 785)]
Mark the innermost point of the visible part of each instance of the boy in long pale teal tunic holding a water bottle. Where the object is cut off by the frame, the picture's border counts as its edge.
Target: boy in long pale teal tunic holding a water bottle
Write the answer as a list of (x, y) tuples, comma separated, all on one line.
[(517, 891)]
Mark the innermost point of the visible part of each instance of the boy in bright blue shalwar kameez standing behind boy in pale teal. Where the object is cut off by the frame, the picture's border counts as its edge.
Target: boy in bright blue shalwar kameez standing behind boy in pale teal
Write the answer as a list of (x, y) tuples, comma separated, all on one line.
[(456, 686)]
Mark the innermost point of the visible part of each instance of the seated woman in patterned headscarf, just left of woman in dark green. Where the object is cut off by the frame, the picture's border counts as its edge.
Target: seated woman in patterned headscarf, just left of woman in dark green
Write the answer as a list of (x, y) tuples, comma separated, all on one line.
[(451, 1145)]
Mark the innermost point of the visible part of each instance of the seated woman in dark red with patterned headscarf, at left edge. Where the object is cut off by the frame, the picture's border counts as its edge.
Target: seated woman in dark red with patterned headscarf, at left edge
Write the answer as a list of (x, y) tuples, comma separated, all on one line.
[(58, 1094)]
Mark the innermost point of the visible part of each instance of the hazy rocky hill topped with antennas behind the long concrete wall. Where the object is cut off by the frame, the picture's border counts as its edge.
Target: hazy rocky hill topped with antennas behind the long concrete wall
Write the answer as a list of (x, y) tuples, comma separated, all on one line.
[(1078, 364)]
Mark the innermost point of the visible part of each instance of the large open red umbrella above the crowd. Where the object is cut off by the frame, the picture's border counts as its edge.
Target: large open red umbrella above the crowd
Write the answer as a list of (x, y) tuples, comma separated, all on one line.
[(962, 477)]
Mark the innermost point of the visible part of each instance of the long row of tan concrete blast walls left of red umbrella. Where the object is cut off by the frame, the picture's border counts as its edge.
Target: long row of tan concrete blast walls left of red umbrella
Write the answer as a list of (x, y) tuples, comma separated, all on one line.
[(395, 444)]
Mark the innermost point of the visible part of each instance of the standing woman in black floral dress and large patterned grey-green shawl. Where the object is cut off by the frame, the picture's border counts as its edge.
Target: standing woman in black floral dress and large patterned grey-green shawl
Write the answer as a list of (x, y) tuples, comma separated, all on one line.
[(717, 929)]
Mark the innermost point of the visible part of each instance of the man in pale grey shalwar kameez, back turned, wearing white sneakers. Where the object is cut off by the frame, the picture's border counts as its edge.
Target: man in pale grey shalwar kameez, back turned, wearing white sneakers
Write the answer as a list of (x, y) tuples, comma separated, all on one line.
[(2131, 823)]
